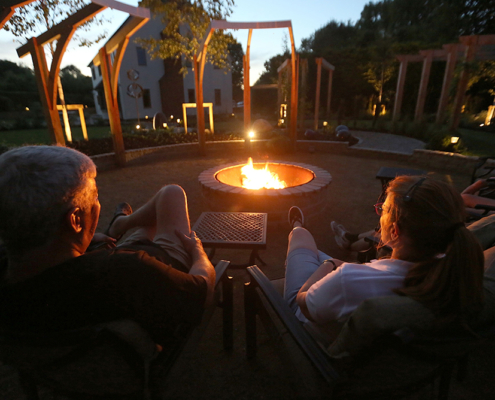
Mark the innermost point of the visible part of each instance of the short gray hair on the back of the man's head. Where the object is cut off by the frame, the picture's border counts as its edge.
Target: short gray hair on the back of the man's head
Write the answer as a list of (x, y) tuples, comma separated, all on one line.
[(38, 186)]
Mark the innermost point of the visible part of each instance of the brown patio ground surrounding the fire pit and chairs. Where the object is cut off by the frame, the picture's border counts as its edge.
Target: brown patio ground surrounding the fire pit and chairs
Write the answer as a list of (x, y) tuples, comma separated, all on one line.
[(211, 372)]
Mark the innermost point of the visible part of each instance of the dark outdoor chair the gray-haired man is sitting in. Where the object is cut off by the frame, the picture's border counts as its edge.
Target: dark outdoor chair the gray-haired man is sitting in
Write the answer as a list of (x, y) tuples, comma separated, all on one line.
[(114, 360)]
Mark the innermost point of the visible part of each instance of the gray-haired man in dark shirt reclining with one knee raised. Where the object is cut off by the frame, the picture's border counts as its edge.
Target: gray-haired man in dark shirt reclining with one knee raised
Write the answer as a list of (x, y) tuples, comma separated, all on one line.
[(159, 277)]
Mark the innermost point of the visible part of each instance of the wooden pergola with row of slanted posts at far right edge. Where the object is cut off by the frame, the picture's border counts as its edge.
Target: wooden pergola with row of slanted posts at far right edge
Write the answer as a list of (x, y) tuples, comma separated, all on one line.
[(470, 48)]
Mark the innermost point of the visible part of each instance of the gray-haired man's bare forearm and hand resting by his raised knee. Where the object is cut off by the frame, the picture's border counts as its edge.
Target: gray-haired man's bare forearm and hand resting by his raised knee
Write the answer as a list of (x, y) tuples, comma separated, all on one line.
[(201, 265)]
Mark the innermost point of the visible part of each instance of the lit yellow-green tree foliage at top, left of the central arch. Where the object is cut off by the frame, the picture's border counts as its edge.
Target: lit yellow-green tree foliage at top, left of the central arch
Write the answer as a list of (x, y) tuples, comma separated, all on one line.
[(185, 24)]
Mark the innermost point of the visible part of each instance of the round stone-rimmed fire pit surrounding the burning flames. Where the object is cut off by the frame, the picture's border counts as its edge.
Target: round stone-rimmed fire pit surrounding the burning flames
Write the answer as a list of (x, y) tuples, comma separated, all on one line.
[(305, 186)]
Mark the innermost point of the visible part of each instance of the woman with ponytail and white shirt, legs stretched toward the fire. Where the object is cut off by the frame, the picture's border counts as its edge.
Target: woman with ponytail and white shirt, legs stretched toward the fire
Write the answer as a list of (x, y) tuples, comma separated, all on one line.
[(435, 259)]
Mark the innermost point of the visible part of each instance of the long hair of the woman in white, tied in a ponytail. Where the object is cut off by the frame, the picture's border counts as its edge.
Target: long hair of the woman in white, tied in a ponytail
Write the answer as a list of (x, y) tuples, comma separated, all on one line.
[(447, 276)]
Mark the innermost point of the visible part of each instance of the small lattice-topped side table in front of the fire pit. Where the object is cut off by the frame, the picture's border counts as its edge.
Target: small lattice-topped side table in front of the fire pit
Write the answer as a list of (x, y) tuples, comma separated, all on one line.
[(234, 230)]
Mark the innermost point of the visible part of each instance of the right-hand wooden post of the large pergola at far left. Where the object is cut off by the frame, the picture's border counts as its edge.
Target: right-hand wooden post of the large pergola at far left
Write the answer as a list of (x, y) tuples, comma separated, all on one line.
[(112, 108)]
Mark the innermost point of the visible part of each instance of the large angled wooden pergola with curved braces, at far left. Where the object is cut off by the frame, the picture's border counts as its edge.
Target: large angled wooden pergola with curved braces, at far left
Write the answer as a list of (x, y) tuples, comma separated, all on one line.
[(46, 78)]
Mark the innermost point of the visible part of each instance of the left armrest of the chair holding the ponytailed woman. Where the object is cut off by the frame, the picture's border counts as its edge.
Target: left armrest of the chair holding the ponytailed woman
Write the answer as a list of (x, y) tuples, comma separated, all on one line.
[(316, 354)]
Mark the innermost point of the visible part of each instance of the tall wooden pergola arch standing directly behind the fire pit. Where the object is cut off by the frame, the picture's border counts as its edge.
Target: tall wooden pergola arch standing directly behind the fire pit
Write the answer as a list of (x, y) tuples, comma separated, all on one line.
[(199, 64)]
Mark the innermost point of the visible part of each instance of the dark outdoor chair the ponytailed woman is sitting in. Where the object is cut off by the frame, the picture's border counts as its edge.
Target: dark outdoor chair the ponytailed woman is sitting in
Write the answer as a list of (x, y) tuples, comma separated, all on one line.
[(382, 351)]
